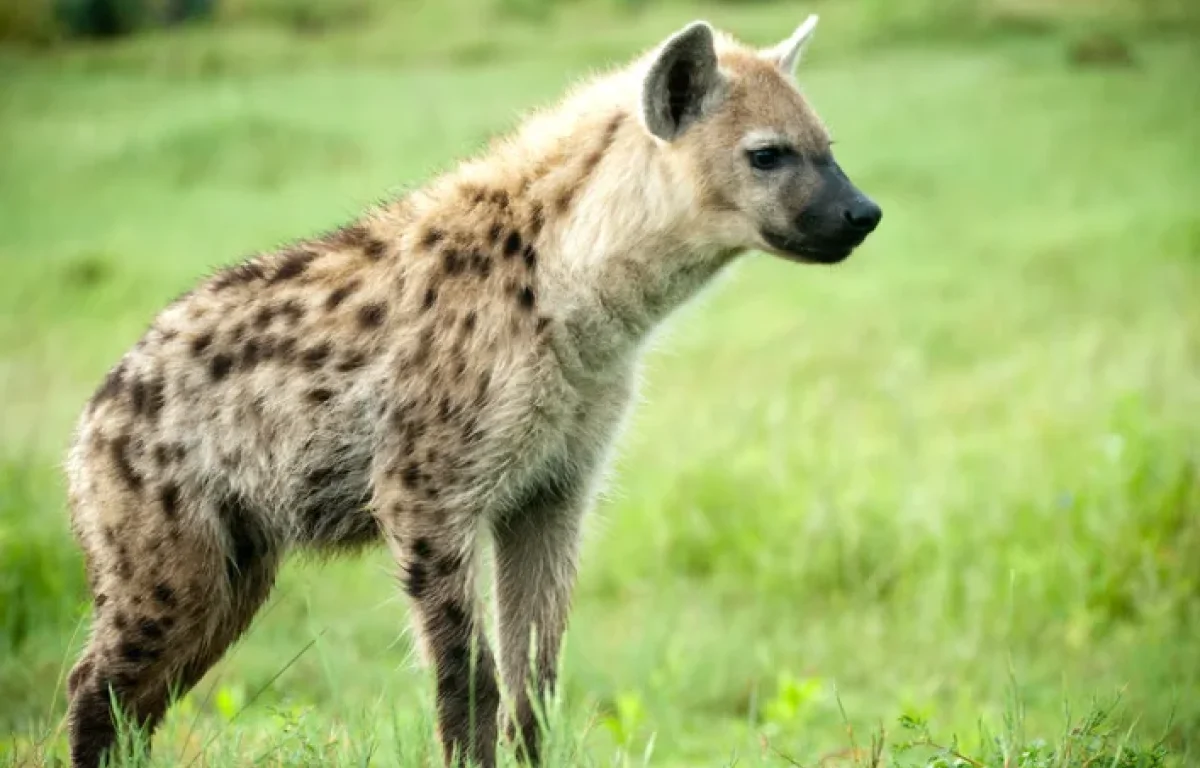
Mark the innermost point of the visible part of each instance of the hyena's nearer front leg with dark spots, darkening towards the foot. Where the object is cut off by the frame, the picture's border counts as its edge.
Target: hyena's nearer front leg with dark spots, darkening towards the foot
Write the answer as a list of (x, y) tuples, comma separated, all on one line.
[(435, 549)]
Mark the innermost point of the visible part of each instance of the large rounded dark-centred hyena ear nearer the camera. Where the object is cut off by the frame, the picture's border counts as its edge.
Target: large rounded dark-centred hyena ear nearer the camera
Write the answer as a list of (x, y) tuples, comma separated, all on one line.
[(681, 82)]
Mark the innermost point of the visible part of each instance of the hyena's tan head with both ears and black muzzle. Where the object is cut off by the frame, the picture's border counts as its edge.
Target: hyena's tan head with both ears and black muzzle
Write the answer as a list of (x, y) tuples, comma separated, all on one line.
[(735, 118)]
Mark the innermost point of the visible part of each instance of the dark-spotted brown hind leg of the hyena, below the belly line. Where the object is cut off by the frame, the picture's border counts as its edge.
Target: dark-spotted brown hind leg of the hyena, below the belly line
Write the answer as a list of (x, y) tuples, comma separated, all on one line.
[(158, 631)]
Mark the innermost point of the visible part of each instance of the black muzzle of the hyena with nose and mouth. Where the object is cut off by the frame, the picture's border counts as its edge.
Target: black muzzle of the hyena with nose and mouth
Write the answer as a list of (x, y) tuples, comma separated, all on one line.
[(835, 221)]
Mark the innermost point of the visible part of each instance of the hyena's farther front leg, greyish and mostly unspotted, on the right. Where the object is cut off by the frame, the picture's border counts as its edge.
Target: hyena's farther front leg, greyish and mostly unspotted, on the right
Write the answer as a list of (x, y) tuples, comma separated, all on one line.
[(536, 567)]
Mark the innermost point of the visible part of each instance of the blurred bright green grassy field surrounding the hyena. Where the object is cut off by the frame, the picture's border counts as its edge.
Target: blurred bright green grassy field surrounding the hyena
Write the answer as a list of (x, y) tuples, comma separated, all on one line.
[(955, 479)]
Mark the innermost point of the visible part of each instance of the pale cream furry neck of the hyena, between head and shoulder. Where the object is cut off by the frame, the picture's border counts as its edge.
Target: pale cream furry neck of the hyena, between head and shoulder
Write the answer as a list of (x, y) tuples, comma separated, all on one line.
[(621, 255)]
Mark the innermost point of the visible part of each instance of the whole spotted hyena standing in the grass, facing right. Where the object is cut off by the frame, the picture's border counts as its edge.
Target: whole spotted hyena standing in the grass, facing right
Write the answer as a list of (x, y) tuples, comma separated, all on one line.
[(453, 364)]
